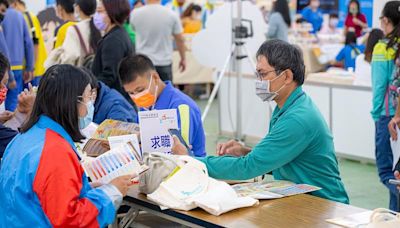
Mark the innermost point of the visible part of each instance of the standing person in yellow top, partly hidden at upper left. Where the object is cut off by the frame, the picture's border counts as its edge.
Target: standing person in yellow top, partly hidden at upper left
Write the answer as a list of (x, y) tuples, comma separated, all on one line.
[(40, 53)]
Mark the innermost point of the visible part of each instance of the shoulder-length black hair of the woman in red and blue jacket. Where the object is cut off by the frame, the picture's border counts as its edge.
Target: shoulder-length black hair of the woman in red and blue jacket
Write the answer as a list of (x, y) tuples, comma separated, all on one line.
[(57, 97)]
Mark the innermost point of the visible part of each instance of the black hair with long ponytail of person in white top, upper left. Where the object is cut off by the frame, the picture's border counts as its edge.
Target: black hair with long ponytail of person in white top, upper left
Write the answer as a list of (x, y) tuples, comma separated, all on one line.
[(88, 7)]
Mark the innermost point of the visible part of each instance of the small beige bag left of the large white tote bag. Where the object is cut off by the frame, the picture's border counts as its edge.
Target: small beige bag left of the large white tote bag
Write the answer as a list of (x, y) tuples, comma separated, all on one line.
[(160, 167)]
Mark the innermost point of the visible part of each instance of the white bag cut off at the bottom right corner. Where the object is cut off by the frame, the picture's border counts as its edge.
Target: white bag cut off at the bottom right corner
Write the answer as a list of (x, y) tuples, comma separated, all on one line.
[(384, 218)]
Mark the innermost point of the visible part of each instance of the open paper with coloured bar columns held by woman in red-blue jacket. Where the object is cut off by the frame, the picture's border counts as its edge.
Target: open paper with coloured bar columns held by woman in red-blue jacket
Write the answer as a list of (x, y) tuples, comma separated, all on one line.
[(123, 160)]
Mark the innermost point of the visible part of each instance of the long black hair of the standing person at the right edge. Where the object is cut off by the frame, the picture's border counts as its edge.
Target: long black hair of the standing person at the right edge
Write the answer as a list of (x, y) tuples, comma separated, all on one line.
[(391, 11)]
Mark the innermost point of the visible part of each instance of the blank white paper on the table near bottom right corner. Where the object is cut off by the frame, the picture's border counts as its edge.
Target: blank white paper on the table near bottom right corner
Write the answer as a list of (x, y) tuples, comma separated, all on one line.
[(355, 220)]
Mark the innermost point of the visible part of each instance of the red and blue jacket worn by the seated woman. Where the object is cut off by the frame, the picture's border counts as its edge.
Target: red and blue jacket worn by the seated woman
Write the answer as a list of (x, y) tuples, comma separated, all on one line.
[(42, 183)]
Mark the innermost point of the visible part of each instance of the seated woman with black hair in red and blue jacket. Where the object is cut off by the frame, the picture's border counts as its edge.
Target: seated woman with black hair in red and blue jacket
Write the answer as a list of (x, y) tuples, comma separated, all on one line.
[(42, 183)]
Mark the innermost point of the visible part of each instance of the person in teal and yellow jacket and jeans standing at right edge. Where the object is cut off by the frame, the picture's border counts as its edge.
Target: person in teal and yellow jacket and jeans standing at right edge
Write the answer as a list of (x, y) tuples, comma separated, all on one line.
[(383, 66)]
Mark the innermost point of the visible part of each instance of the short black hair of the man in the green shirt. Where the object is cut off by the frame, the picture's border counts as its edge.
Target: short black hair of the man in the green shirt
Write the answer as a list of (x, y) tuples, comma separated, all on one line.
[(282, 56)]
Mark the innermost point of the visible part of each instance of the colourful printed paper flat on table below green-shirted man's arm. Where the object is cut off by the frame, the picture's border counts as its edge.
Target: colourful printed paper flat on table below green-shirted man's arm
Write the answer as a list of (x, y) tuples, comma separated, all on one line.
[(272, 190)]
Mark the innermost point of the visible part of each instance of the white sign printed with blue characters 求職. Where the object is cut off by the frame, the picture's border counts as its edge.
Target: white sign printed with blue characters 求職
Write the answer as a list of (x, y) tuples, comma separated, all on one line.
[(154, 127)]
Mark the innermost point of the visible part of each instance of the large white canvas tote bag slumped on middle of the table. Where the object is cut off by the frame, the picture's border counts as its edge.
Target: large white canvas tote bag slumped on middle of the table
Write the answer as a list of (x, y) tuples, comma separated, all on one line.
[(191, 187)]
